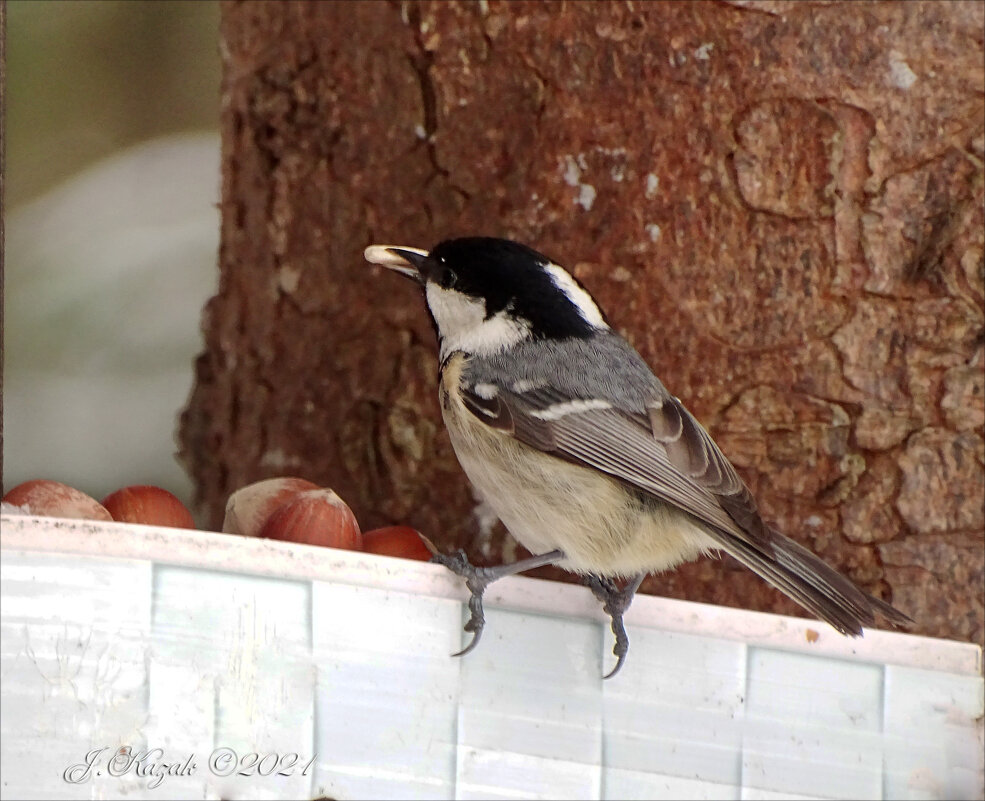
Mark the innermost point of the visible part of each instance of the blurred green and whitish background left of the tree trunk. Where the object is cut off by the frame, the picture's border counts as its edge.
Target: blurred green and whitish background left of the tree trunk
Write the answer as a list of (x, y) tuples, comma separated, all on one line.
[(111, 235)]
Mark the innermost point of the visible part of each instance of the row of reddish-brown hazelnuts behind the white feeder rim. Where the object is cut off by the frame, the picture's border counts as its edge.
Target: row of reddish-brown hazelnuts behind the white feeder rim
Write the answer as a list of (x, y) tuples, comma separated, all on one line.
[(291, 509)]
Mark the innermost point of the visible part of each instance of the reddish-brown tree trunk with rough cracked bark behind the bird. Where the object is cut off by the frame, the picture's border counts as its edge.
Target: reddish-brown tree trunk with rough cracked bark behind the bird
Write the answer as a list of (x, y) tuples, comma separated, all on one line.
[(779, 204)]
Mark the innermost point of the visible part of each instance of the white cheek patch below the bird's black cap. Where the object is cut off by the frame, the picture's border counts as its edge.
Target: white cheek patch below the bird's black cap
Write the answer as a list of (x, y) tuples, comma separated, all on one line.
[(463, 326)]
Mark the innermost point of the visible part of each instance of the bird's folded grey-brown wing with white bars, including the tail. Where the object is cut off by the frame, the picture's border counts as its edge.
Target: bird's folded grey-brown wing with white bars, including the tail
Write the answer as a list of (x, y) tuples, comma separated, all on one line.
[(643, 436)]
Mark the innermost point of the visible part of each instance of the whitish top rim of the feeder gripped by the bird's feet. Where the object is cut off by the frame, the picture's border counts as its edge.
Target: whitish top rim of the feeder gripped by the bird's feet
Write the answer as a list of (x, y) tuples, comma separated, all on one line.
[(287, 560)]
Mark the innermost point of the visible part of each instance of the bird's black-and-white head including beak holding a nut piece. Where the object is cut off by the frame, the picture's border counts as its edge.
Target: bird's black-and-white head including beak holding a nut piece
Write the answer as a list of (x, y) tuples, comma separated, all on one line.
[(485, 289)]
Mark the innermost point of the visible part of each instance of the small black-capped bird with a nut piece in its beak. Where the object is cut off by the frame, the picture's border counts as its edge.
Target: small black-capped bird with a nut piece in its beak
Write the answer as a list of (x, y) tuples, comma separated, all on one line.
[(581, 451)]
